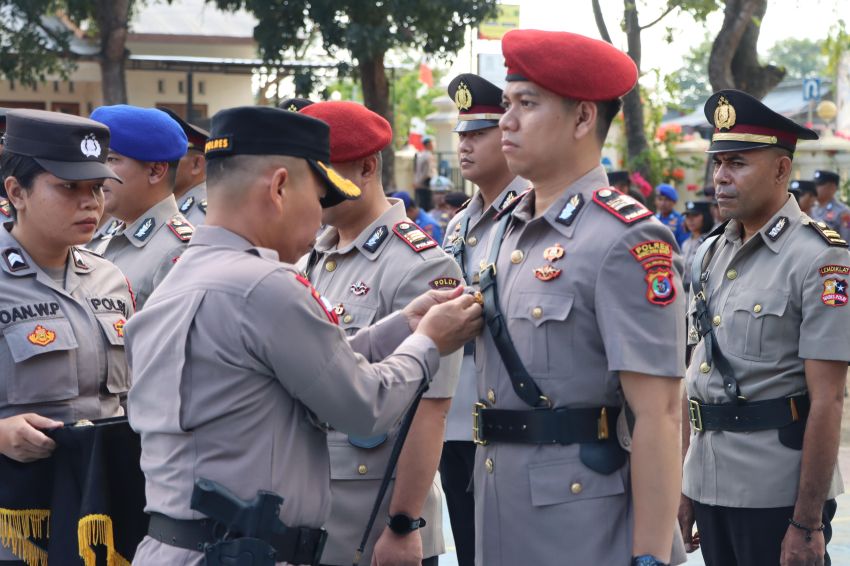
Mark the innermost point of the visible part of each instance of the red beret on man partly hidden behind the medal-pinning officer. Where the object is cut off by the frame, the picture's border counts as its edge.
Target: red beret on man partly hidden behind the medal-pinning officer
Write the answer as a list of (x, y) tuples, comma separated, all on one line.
[(356, 131)]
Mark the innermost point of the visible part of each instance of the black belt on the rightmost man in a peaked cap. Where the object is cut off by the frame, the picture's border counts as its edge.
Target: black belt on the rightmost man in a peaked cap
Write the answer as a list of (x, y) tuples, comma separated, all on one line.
[(749, 416)]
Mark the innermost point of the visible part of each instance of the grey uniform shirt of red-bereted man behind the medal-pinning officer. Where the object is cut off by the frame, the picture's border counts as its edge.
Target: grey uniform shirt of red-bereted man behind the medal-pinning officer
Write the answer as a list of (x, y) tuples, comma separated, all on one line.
[(377, 274)]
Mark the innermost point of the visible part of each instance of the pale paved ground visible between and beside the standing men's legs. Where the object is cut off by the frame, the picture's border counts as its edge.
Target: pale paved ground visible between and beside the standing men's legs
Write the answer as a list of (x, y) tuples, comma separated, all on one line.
[(839, 548)]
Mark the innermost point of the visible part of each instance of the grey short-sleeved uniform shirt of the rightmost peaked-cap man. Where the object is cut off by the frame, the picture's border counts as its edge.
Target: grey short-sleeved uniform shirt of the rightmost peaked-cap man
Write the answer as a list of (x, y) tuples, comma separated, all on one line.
[(775, 302)]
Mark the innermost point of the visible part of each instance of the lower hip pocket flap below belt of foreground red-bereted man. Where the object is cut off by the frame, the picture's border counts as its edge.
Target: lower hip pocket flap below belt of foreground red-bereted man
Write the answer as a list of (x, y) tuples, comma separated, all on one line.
[(565, 481)]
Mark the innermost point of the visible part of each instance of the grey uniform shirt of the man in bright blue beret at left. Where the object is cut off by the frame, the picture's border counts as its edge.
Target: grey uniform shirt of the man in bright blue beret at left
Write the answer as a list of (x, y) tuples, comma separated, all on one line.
[(147, 249)]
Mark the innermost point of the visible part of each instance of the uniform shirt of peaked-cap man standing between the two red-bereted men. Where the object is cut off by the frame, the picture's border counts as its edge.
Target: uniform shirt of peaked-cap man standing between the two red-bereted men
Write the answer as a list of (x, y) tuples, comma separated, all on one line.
[(480, 223)]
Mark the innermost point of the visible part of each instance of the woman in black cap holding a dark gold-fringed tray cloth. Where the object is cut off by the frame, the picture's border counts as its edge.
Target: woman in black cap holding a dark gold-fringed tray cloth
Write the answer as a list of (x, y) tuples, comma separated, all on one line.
[(62, 308)]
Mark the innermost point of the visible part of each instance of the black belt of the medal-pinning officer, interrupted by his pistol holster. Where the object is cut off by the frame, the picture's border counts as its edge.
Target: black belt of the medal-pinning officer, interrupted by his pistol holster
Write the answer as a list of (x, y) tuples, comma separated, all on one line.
[(296, 545)]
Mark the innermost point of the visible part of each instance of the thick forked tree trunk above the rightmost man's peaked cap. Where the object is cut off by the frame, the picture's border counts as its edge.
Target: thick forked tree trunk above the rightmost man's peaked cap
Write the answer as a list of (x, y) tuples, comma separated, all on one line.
[(734, 59)]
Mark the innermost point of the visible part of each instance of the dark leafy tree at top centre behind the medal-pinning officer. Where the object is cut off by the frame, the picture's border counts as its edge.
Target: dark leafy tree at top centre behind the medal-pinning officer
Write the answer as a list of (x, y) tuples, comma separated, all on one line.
[(367, 31)]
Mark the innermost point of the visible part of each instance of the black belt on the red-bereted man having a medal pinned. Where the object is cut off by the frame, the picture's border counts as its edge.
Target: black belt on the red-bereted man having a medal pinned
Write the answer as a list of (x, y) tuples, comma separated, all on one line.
[(543, 426)]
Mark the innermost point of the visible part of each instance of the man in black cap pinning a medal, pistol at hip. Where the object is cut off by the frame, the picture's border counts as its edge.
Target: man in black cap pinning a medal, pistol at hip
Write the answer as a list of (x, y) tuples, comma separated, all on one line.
[(237, 357)]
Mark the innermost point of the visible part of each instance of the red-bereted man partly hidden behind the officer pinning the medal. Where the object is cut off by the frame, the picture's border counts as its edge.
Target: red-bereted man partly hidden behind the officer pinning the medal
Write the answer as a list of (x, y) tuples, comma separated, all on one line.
[(370, 262)]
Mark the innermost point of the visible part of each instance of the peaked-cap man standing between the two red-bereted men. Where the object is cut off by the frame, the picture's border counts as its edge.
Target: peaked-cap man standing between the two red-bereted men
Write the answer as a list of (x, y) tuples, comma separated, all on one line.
[(481, 162)]
